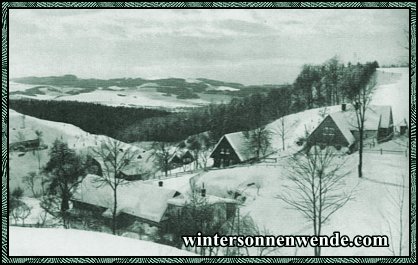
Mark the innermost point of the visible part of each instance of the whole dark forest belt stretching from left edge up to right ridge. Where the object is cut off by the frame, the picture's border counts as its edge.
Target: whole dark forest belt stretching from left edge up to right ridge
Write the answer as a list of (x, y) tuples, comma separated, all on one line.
[(326, 84)]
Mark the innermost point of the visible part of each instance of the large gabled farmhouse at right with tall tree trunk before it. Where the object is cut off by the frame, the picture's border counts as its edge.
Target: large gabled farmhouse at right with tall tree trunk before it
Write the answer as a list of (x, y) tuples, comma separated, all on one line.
[(339, 129)]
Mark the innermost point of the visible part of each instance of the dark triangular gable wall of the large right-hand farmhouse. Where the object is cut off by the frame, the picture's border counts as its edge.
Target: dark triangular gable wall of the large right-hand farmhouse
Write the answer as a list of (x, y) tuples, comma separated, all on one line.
[(321, 136)]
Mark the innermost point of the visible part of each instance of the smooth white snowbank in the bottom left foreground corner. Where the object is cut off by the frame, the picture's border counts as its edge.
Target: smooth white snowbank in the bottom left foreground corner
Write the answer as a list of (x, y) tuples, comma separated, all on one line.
[(69, 242)]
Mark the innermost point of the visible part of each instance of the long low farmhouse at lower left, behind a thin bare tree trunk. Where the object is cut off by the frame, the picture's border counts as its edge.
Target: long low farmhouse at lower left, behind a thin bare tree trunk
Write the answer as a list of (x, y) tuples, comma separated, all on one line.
[(137, 201)]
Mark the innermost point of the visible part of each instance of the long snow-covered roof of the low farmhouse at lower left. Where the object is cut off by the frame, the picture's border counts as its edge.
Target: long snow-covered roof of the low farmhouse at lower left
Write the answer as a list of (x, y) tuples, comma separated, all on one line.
[(135, 198)]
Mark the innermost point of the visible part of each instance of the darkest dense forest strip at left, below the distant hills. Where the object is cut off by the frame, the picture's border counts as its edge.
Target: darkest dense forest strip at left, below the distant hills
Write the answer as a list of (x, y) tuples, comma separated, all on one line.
[(91, 117)]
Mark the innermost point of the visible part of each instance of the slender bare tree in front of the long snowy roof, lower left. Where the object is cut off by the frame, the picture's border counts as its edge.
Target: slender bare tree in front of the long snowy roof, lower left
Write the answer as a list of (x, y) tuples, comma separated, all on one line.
[(114, 158)]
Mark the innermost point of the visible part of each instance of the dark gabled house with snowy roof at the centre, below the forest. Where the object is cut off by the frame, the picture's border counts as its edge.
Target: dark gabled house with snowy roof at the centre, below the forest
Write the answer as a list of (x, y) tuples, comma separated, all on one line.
[(231, 149)]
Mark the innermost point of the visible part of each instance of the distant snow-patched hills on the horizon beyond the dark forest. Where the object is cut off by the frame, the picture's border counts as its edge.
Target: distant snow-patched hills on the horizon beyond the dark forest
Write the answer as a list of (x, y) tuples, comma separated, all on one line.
[(171, 92)]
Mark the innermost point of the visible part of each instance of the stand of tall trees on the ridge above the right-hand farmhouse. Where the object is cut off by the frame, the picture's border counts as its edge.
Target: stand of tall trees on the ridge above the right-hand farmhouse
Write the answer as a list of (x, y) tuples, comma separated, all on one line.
[(329, 83)]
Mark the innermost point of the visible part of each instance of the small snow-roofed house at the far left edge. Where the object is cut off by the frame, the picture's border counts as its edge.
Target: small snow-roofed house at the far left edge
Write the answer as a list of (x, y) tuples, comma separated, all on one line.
[(24, 139)]
